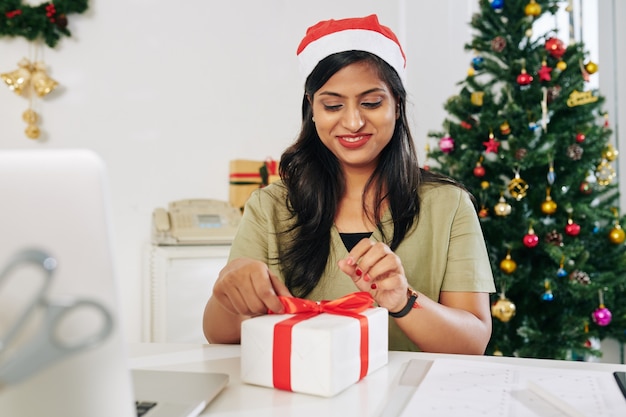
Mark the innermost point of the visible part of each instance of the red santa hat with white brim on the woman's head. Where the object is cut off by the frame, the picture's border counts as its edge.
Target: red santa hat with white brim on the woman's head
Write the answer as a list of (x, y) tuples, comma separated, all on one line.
[(361, 33)]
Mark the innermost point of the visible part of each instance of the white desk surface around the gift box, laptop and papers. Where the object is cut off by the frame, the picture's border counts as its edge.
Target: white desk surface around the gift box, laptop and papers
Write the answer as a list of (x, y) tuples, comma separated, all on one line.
[(378, 394)]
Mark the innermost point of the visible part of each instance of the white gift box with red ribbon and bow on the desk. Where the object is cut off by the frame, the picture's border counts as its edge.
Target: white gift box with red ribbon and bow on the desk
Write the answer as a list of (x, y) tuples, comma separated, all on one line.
[(320, 349)]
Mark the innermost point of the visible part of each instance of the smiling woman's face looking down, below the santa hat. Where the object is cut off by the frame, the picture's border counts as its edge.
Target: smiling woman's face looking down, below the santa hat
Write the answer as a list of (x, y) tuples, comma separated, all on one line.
[(355, 115)]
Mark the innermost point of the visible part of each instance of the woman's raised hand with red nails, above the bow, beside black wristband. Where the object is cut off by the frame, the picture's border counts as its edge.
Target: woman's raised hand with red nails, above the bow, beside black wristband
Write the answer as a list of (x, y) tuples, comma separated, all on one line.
[(375, 268)]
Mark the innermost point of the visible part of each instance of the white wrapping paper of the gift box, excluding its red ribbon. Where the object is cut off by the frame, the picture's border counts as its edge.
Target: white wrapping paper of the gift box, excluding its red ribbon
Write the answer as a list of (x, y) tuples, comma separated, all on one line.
[(325, 350)]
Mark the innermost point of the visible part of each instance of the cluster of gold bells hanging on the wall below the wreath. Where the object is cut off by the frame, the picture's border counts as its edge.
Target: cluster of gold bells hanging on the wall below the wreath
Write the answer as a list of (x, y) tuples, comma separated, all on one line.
[(30, 80)]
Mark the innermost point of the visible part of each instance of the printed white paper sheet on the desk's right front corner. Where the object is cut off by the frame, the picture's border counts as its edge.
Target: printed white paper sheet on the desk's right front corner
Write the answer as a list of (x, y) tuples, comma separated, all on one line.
[(476, 388)]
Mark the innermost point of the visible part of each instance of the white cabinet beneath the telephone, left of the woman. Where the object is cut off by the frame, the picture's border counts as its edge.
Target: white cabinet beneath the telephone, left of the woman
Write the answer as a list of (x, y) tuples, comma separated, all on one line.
[(177, 282)]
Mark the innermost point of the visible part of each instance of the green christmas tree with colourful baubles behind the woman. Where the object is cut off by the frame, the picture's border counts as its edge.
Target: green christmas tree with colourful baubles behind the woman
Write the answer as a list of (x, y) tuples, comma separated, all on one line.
[(530, 140)]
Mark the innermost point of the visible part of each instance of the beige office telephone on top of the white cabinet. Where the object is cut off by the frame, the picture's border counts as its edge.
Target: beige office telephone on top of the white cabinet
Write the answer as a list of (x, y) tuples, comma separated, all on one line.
[(195, 222)]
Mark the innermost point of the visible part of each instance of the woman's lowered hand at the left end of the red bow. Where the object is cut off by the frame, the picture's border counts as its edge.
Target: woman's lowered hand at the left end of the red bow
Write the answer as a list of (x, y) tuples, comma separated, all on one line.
[(247, 287)]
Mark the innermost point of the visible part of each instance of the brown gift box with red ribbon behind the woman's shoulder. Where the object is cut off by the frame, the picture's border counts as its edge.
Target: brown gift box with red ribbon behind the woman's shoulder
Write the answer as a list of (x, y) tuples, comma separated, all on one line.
[(247, 175)]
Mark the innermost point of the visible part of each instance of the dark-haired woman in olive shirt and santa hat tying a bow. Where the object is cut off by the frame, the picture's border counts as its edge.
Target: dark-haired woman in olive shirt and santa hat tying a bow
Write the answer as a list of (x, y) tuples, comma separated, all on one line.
[(354, 212)]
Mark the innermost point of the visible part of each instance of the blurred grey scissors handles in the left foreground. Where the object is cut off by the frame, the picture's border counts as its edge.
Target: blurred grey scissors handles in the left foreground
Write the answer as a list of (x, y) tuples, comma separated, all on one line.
[(46, 346)]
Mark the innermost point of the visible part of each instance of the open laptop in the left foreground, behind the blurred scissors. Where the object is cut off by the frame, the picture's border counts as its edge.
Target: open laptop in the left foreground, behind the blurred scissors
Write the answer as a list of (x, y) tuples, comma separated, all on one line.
[(57, 202)]
